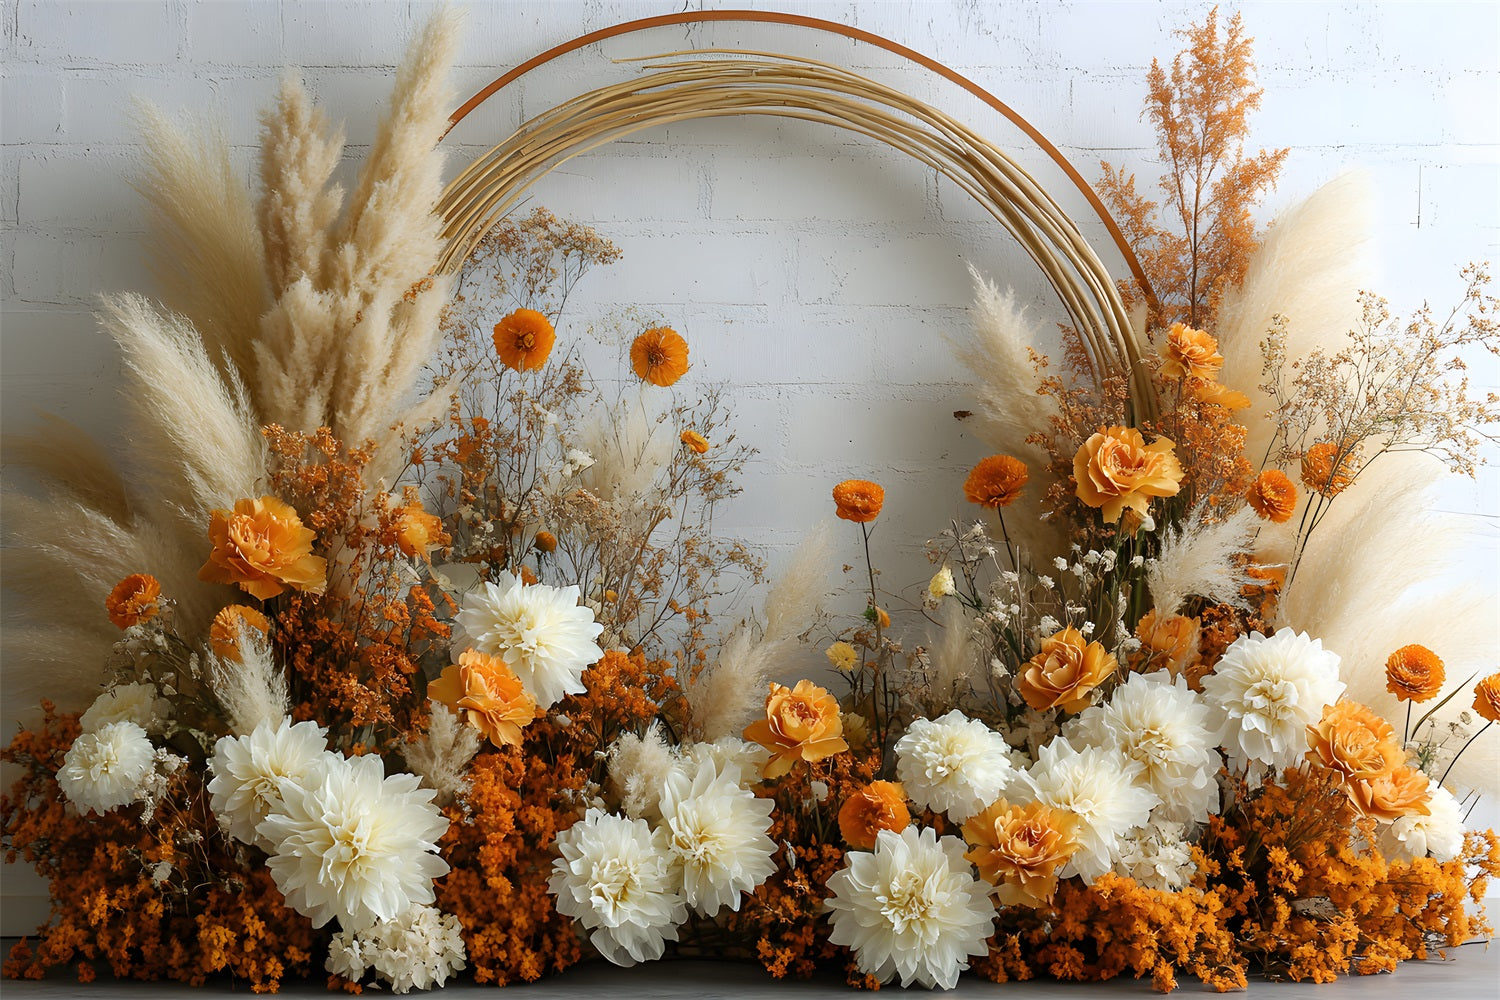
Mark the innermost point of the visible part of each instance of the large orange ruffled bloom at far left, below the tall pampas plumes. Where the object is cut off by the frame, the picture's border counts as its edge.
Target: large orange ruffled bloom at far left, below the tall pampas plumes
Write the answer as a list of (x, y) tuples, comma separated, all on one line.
[(263, 546)]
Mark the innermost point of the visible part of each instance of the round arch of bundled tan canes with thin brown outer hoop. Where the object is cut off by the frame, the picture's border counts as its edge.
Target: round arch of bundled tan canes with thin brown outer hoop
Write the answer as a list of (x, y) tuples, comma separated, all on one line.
[(722, 83)]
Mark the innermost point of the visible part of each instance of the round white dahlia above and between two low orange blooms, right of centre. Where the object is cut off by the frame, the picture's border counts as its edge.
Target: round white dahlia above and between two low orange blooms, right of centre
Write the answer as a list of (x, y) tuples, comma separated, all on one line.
[(955, 765)]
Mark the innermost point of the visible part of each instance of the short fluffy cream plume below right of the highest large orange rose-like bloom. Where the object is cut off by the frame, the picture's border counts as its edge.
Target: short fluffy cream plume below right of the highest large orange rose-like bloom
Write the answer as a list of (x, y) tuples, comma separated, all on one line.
[(1196, 560)]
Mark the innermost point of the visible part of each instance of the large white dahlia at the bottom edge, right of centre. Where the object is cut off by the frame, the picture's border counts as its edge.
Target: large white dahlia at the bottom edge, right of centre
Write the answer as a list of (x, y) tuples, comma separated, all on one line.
[(911, 909)]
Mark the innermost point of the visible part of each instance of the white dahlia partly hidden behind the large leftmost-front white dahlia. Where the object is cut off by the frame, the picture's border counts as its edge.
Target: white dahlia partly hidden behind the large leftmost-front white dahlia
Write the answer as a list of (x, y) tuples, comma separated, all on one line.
[(250, 771)]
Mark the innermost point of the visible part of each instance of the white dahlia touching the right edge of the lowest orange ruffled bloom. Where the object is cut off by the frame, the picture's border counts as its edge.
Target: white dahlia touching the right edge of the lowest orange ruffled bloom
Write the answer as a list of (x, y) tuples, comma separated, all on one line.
[(1099, 786)]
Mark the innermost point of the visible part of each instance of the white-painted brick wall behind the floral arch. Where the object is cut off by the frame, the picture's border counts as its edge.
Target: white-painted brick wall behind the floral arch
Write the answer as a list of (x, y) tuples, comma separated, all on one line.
[(809, 268)]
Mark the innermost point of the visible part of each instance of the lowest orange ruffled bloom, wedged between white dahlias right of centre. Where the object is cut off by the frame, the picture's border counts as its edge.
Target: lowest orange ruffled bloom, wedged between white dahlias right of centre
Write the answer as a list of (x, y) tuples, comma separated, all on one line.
[(1019, 849)]
